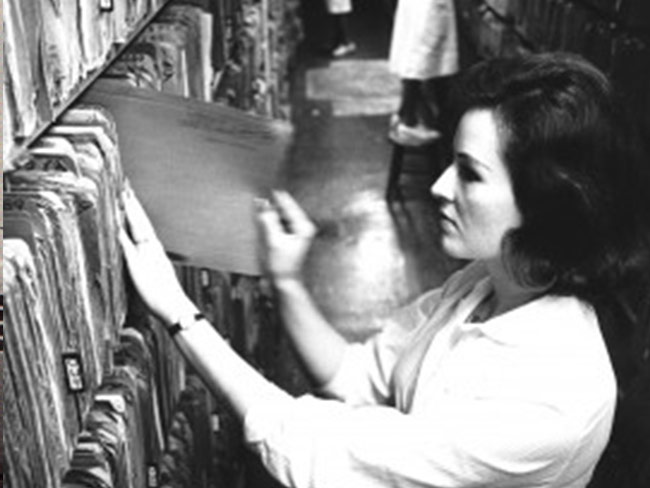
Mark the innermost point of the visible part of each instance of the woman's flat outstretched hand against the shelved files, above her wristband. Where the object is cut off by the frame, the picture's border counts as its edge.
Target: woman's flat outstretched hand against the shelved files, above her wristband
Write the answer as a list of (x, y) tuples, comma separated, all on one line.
[(151, 270)]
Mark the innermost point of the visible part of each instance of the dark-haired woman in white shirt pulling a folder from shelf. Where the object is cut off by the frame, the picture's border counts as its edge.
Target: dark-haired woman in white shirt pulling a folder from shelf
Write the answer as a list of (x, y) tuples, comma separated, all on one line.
[(502, 376)]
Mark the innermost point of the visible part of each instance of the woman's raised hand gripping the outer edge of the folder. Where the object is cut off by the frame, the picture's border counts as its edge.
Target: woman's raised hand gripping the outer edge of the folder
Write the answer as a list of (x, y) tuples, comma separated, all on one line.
[(287, 233)]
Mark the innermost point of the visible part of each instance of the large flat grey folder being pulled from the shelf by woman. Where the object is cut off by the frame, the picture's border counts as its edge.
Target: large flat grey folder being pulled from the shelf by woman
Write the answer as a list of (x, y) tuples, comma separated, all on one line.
[(197, 167)]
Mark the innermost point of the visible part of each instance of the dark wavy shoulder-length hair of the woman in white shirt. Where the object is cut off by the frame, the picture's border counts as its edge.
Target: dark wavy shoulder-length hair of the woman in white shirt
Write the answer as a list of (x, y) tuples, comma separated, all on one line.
[(580, 179)]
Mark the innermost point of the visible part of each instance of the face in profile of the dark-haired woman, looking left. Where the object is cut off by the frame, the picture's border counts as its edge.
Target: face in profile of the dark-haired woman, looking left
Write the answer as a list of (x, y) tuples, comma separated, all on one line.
[(477, 204)]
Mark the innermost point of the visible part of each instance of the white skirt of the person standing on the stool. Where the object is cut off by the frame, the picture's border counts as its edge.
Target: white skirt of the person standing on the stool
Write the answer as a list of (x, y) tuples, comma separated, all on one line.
[(424, 43)]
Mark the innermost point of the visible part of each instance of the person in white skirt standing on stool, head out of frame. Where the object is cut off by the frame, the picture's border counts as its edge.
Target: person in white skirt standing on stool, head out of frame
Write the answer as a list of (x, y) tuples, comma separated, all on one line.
[(424, 48)]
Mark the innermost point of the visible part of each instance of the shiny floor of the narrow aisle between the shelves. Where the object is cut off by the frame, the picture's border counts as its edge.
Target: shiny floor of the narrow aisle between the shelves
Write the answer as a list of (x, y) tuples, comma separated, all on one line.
[(368, 257)]
